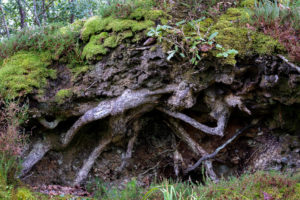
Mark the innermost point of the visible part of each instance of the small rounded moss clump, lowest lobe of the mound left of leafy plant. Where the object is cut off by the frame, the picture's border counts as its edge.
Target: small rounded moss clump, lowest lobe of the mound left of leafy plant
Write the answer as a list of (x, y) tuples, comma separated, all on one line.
[(95, 48)]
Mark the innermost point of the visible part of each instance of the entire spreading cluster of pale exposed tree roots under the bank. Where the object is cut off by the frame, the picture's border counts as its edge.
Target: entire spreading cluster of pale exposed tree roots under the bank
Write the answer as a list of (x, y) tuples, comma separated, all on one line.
[(137, 103)]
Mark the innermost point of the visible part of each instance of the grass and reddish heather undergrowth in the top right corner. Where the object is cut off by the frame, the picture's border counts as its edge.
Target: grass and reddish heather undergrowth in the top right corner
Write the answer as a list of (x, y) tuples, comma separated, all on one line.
[(281, 20)]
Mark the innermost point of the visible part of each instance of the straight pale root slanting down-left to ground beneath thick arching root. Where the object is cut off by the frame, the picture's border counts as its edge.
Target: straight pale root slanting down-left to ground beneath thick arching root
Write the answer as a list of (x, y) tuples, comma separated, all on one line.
[(88, 164)]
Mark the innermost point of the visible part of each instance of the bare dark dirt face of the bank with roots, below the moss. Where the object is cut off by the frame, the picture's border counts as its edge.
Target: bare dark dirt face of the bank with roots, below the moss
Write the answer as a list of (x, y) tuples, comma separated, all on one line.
[(124, 94)]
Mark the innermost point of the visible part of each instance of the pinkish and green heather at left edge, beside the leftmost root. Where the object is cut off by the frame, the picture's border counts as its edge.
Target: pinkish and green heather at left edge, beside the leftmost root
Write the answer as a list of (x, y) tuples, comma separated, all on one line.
[(12, 115)]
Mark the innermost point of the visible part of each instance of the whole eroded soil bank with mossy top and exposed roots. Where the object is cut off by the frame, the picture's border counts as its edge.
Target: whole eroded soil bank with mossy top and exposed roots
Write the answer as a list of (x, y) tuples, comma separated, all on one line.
[(130, 111)]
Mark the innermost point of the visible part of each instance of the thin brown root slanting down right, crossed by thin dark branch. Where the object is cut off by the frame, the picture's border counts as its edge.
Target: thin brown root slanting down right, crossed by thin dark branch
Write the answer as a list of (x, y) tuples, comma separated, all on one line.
[(195, 147)]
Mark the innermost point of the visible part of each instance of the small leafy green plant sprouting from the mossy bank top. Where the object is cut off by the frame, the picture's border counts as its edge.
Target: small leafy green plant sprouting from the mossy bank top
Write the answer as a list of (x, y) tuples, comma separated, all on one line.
[(190, 44)]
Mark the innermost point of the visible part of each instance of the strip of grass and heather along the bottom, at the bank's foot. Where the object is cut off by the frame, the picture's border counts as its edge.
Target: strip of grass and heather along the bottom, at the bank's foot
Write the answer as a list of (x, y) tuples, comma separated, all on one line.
[(260, 185)]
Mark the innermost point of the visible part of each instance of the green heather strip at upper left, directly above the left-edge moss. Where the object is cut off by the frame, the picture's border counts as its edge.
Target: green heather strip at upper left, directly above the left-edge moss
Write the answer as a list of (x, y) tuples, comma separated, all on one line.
[(54, 38)]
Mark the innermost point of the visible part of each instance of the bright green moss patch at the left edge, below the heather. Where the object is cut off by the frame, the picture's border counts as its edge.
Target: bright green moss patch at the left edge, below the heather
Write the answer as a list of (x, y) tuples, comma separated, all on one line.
[(23, 72)]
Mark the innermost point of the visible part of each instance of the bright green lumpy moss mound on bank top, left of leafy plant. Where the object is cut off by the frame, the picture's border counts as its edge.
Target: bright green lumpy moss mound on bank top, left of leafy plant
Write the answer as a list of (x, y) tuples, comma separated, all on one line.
[(104, 33)]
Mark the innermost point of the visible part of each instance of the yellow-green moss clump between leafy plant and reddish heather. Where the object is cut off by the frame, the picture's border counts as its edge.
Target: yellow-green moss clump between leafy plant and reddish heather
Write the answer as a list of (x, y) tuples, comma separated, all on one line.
[(233, 34)]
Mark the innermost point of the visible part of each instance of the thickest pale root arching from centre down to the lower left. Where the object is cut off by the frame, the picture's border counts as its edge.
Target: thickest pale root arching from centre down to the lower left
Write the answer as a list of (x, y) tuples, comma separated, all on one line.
[(117, 106)]
